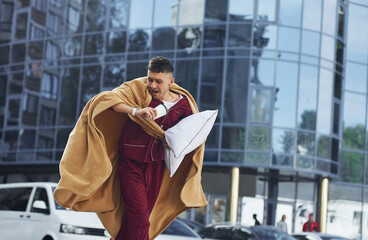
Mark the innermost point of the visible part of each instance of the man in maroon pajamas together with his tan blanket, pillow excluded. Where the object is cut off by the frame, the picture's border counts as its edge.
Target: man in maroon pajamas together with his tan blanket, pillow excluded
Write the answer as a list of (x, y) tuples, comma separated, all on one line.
[(113, 161)]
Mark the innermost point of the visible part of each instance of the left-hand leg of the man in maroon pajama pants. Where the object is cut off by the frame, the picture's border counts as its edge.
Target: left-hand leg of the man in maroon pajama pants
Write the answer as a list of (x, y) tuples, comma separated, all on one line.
[(133, 188)]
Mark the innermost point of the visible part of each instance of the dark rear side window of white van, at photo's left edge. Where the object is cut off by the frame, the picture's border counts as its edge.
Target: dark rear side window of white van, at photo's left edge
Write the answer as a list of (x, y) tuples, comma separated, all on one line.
[(14, 199)]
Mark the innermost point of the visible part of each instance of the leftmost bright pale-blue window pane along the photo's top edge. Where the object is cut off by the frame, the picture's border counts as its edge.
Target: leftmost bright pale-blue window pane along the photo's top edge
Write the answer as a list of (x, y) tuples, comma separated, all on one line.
[(140, 14)]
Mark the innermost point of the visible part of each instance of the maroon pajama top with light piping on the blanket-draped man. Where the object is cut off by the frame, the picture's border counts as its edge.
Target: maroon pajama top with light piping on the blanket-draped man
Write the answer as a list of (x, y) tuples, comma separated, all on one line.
[(135, 144)]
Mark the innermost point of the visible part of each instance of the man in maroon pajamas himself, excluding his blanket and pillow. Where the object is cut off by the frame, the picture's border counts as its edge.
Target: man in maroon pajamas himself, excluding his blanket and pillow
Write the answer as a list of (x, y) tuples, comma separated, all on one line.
[(141, 164)]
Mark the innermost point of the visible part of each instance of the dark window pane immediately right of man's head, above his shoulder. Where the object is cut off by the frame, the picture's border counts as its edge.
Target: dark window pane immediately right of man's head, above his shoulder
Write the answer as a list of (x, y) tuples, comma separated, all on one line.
[(186, 75)]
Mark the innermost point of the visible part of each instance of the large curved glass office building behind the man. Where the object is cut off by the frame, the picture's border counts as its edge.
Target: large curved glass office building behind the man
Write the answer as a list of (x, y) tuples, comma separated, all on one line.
[(288, 76)]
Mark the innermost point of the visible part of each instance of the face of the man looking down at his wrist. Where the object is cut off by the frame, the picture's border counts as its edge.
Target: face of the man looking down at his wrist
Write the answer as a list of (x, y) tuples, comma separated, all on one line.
[(159, 84)]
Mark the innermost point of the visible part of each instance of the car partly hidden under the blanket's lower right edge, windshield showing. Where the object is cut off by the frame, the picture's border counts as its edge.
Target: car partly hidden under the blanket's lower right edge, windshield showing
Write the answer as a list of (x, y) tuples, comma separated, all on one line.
[(178, 230)]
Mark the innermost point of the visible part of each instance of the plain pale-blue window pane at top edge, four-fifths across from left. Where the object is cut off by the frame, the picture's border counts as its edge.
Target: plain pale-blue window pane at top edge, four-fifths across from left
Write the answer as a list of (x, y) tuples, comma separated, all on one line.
[(290, 12)]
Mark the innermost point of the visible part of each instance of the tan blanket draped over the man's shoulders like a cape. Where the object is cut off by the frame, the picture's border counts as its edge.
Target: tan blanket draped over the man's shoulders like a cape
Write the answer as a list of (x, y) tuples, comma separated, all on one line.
[(88, 168)]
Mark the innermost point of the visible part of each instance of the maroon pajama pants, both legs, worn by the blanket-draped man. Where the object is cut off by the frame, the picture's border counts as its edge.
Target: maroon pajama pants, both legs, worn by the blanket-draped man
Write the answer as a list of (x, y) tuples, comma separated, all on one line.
[(140, 184)]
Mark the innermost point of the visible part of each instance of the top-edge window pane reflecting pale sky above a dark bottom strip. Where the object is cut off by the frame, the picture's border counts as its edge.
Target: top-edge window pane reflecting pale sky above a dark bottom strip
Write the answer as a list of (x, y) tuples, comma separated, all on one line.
[(241, 10)]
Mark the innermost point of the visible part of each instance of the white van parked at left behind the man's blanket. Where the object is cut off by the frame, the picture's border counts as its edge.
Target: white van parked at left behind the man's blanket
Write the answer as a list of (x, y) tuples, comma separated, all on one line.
[(29, 211)]
